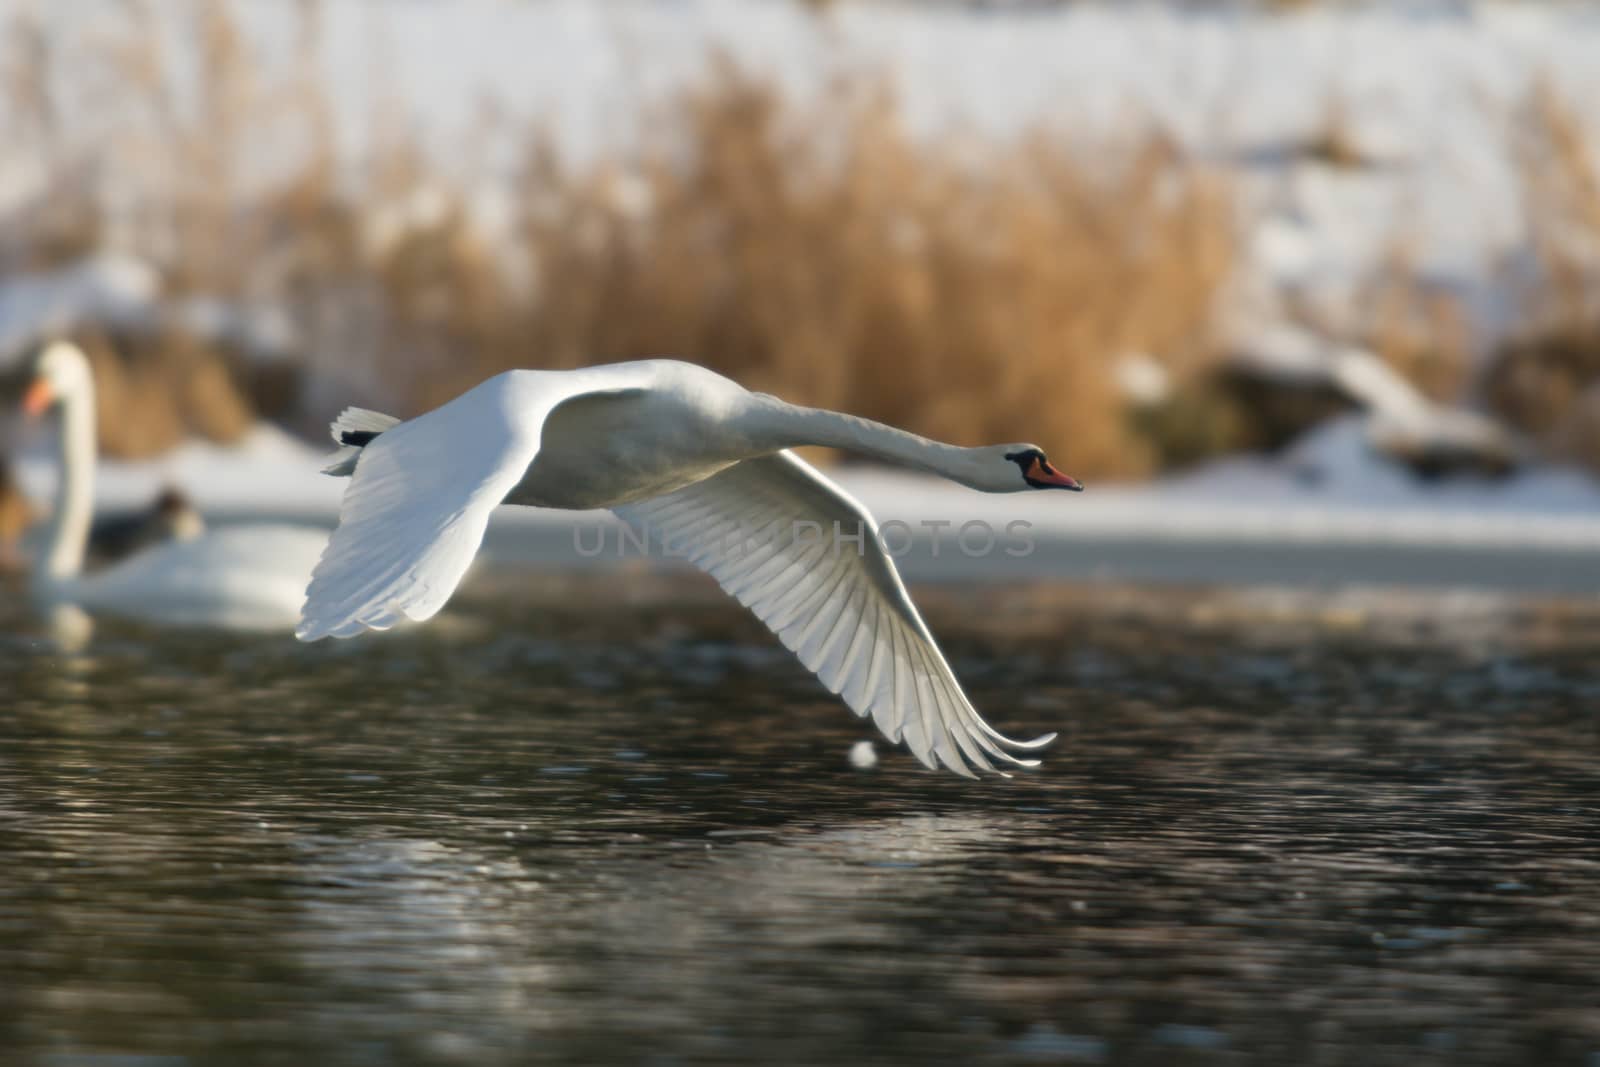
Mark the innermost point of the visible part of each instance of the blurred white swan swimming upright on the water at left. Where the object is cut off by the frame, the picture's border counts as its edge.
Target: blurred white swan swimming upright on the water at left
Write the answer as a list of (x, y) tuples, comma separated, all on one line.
[(249, 578)]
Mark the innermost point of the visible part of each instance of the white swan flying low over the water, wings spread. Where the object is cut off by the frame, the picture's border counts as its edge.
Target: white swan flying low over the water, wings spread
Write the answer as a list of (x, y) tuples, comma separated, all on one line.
[(692, 460)]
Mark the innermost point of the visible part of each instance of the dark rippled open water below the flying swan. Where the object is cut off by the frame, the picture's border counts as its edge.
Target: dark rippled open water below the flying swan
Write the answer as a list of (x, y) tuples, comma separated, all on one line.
[(612, 821)]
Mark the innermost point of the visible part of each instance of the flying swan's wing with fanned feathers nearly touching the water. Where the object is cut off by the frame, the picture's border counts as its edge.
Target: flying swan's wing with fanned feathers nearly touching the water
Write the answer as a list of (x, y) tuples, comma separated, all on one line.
[(766, 530)]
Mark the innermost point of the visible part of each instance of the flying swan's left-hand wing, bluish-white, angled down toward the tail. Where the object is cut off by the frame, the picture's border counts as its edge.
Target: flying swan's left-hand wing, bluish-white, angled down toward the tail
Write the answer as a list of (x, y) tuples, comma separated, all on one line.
[(415, 513)]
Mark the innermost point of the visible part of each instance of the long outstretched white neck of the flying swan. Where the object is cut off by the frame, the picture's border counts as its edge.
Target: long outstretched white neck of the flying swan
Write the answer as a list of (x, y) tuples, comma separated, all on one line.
[(790, 426)]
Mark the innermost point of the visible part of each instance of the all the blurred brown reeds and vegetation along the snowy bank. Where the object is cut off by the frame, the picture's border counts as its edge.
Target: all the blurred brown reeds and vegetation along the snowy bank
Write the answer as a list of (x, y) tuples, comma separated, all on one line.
[(974, 289)]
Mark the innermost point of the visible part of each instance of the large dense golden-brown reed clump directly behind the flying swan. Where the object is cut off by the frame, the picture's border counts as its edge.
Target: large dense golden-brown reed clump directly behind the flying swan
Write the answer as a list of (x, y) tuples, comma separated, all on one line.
[(822, 254)]
